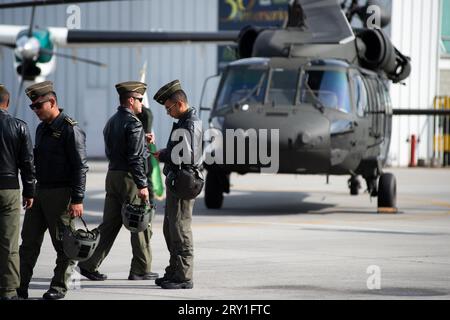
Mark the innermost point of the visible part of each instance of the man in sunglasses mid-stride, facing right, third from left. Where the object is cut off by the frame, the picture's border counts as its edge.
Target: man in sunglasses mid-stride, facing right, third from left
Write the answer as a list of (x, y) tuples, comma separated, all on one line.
[(126, 181)]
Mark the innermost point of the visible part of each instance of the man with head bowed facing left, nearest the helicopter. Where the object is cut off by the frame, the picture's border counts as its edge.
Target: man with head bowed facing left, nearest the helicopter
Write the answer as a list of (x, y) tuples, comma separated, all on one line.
[(178, 212)]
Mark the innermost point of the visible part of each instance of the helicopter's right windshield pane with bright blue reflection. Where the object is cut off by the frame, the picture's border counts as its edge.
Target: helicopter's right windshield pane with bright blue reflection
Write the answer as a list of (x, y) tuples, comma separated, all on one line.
[(329, 87)]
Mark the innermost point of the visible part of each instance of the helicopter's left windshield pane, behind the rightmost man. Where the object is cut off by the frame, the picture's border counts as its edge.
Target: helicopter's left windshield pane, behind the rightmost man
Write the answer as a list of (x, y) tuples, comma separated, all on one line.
[(242, 84)]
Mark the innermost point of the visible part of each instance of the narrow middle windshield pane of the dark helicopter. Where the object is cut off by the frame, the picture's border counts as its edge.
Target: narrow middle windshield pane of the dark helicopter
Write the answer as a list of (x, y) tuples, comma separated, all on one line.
[(283, 86)]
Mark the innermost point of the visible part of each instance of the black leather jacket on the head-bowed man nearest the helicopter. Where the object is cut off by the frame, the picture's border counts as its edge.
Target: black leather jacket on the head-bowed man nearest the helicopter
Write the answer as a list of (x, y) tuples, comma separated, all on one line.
[(190, 138)]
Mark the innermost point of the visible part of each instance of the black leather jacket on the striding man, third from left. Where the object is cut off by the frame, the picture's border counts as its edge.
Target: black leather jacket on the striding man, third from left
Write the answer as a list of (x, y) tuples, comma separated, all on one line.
[(125, 145)]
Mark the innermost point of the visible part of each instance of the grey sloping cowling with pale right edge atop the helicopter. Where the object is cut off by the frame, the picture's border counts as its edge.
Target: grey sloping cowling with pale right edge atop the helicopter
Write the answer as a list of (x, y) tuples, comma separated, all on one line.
[(326, 21)]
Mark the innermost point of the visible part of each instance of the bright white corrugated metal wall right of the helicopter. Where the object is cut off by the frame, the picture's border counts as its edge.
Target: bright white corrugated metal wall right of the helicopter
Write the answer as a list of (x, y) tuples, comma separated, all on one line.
[(415, 32)]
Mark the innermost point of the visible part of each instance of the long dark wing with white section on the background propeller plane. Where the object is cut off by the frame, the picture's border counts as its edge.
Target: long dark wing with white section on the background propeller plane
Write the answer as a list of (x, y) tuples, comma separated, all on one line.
[(63, 37)]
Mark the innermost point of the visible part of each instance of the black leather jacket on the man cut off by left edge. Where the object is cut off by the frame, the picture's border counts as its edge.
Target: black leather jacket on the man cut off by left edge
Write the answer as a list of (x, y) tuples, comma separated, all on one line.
[(16, 153)]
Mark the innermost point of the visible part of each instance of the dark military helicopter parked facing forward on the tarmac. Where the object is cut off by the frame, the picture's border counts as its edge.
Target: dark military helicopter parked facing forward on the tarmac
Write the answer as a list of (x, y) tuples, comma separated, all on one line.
[(324, 86)]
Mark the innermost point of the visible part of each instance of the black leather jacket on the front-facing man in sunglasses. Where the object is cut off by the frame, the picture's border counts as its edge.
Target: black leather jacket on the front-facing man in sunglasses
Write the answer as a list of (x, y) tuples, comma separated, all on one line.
[(60, 156)]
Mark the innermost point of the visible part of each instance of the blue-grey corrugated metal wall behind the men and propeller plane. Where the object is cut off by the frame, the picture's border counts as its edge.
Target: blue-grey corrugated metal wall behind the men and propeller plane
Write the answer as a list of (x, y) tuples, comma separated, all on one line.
[(87, 92)]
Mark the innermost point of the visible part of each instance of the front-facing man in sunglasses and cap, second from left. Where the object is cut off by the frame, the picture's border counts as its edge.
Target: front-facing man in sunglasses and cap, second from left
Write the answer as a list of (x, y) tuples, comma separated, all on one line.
[(60, 159)]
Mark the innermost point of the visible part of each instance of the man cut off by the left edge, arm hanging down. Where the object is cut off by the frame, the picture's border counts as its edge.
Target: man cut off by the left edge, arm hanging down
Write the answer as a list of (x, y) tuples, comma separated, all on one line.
[(16, 153)]
